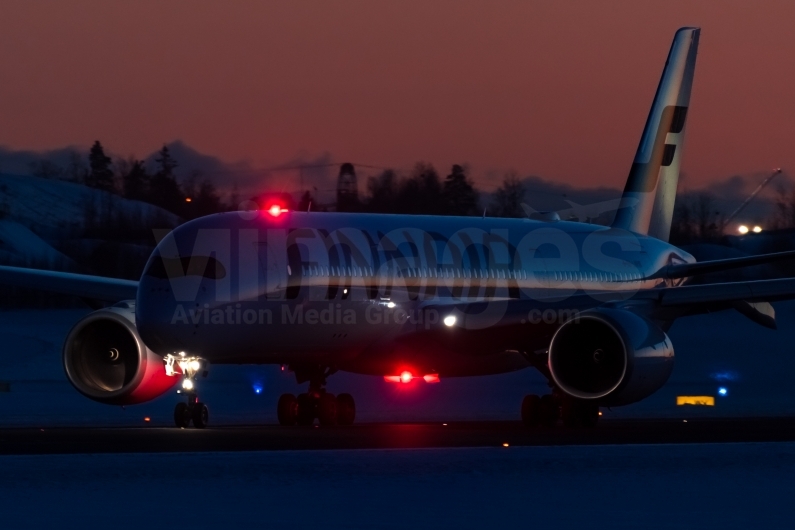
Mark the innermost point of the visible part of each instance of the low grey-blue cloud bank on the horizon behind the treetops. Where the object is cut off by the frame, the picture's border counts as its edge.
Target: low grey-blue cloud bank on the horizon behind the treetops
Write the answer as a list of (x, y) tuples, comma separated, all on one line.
[(319, 176)]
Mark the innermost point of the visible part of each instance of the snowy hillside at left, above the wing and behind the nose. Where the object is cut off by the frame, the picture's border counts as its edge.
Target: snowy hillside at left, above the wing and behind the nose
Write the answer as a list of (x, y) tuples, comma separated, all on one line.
[(58, 225)]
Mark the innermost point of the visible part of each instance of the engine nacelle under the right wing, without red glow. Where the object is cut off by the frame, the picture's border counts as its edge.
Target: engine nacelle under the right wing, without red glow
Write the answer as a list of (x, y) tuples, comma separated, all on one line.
[(610, 355)]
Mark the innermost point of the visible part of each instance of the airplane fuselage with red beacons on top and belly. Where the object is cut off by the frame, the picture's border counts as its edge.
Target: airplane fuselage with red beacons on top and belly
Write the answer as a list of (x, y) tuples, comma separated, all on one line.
[(372, 293)]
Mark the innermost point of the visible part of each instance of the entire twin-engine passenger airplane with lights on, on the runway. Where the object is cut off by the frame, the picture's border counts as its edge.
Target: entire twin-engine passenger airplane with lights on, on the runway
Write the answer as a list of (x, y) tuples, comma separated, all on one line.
[(416, 298)]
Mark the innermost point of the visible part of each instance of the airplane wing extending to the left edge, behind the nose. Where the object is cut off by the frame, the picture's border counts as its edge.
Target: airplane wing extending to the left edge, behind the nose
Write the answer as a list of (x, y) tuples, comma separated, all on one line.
[(83, 285)]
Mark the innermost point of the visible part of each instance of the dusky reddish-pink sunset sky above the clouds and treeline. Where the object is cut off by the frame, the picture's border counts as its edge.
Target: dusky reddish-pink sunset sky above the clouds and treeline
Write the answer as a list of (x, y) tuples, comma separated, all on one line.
[(556, 89)]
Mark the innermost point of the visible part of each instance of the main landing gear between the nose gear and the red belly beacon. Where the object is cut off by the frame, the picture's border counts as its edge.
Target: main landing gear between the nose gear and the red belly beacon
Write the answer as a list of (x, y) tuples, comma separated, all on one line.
[(316, 403)]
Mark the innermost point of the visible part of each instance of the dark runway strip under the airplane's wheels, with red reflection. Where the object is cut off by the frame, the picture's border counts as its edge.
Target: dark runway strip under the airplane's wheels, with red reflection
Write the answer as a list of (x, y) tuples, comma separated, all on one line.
[(22, 441)]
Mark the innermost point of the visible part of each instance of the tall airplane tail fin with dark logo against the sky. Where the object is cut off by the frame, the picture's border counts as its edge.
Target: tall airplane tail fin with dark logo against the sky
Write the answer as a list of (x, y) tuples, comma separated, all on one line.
[(649, 195)]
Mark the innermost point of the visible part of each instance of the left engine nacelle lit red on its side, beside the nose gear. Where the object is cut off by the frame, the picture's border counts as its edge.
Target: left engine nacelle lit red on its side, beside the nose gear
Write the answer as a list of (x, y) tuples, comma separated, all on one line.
[(106, 360)]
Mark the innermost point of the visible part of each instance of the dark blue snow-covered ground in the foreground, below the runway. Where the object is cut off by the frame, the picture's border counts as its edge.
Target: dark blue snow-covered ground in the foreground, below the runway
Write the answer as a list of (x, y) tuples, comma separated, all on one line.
[(722, 486)]
